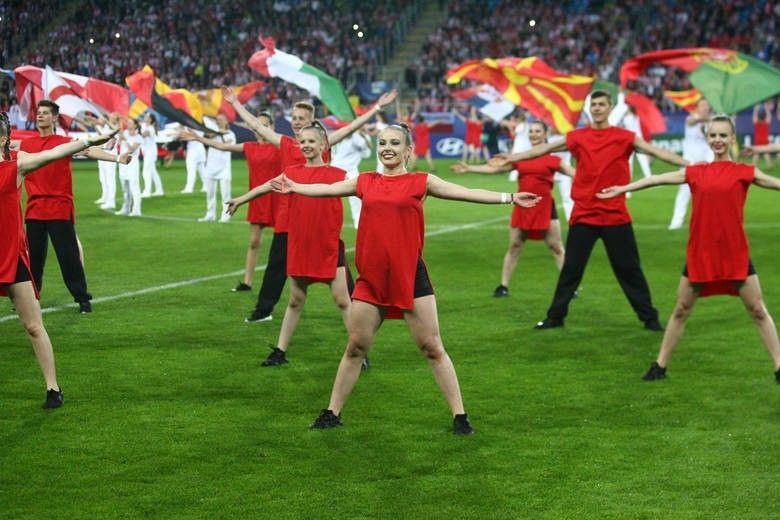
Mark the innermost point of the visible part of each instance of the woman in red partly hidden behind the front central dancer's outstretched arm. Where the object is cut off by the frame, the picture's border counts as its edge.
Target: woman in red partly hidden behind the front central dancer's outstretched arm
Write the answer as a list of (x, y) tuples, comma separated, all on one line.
[(315, 252)]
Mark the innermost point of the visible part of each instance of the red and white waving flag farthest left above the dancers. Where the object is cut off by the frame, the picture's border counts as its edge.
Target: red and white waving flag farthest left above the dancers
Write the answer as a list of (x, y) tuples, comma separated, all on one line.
[(107, 97)]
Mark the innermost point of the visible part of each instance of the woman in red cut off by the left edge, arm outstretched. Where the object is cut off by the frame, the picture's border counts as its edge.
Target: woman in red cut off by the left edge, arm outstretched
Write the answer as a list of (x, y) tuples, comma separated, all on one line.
[(15, 276)]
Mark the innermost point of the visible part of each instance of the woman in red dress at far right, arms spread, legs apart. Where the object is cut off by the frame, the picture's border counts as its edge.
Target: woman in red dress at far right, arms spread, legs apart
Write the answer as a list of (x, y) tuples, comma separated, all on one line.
[(718, 259)]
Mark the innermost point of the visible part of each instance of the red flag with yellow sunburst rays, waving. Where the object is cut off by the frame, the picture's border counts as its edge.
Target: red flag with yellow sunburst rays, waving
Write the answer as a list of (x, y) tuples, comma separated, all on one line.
[(530, 83)]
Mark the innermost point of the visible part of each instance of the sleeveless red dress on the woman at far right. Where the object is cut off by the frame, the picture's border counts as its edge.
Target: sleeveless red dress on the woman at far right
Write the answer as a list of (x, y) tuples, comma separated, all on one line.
[(717, 246)]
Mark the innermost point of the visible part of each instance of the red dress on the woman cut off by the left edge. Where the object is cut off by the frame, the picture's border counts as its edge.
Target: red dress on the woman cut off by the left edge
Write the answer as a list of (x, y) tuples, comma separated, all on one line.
[(13, 241)]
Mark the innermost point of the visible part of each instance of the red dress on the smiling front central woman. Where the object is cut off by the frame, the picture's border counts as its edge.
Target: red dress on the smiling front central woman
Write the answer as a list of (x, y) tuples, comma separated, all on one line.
[(390, 239)]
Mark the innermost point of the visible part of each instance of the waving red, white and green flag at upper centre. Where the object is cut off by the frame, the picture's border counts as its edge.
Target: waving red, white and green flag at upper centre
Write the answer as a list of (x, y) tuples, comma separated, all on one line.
[(273, 63)]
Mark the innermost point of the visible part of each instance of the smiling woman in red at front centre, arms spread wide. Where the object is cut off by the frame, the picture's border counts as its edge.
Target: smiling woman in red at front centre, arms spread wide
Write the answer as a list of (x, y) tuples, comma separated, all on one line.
[(393, 279)]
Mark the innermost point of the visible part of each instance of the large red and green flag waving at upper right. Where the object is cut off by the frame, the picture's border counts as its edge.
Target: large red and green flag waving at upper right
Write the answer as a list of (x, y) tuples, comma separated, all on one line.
[(729, 80)]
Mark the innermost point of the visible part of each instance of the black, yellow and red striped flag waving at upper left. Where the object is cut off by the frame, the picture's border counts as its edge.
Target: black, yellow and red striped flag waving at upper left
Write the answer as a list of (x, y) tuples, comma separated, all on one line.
[(178, 105)]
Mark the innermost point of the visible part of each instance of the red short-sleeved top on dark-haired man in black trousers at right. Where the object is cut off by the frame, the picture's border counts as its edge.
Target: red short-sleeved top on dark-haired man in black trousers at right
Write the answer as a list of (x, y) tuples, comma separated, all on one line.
[(602, 161)]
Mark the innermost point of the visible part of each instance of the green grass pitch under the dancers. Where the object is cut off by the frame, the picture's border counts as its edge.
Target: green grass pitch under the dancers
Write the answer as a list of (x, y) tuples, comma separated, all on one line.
[(168, 413)]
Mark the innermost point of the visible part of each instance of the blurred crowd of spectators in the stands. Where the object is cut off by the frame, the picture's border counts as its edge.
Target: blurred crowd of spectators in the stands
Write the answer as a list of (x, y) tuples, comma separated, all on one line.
[(110, 40)]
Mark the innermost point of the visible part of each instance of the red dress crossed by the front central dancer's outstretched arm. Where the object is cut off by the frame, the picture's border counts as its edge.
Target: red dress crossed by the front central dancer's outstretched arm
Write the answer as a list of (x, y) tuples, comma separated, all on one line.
[(314, 231)]
